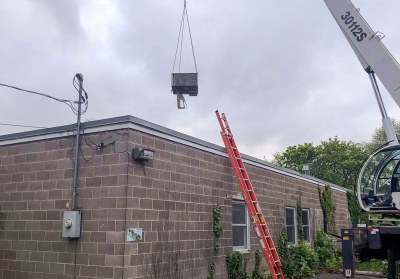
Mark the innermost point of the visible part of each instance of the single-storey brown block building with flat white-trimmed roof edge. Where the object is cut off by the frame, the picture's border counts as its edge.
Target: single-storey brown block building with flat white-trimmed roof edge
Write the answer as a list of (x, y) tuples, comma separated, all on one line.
[(170, 198)]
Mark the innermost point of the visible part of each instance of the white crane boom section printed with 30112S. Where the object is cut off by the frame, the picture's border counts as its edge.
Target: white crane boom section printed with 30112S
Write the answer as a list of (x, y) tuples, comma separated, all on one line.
[(367, 45)]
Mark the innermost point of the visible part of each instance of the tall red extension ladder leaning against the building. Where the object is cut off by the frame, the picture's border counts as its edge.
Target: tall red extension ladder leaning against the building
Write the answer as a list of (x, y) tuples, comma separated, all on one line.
[(259, 224)]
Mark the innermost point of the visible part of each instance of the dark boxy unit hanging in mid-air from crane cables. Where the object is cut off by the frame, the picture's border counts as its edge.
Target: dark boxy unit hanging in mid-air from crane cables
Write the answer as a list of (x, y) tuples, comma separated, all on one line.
[(185, 83)]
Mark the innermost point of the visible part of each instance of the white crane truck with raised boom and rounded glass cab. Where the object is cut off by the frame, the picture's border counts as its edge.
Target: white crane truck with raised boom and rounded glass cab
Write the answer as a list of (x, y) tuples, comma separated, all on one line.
[(377, 187)]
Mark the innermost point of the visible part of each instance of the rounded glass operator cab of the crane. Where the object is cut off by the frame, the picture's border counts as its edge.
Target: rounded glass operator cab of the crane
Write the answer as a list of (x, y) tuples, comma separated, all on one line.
[(378, 182)]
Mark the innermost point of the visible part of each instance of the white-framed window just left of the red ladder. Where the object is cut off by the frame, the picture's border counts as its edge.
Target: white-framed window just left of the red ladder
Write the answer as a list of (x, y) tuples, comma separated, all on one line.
[(240, 226)]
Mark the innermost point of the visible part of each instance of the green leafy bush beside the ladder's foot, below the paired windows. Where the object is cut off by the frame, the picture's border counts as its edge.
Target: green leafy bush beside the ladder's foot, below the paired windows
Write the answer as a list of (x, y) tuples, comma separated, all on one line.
[(299, 260)]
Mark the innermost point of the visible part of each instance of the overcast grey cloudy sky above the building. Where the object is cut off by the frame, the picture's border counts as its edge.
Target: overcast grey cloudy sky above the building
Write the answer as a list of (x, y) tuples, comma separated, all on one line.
[(282, 71)]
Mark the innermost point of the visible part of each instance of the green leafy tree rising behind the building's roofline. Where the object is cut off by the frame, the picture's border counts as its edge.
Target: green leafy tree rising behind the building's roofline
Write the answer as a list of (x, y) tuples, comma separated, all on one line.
[(335, 161)]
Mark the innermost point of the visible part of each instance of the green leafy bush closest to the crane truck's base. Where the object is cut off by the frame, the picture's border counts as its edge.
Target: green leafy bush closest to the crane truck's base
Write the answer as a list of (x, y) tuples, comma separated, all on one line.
[(328, 255)]
